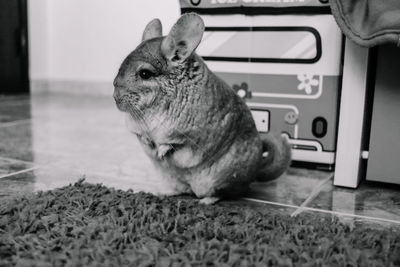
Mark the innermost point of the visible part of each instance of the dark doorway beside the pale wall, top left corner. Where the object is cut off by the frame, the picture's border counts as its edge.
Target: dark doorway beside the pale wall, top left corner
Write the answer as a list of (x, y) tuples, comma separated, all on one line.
[(14, 77)]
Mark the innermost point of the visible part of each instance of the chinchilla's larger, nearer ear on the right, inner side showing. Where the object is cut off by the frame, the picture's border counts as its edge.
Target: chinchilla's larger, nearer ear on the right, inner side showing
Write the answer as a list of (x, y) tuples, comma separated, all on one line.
[(183, 38)]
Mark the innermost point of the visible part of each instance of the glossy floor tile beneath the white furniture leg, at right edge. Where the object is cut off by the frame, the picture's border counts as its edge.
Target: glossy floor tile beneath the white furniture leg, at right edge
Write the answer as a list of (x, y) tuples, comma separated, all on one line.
[(369, 199)]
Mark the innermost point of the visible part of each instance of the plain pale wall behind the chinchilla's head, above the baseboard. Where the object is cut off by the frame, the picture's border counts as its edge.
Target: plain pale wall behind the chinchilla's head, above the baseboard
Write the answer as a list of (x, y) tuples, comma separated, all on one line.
[(86, 40)]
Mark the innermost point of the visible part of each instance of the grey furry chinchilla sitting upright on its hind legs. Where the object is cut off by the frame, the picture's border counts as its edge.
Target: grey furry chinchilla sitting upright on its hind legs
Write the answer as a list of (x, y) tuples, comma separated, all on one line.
[(193, 126)]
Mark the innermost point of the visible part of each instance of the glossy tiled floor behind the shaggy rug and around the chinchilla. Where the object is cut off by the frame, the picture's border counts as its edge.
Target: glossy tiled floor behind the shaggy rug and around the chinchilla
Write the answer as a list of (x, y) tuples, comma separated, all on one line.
[(50, 140)]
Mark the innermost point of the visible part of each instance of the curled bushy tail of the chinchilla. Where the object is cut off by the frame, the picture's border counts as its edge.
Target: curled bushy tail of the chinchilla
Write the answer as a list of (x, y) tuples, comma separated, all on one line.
[(276, 157)]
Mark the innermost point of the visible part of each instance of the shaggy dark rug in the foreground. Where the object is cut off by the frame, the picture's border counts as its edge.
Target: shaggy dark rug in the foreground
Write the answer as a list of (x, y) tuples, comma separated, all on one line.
[(92, 225)]
